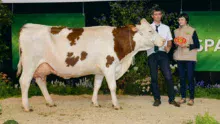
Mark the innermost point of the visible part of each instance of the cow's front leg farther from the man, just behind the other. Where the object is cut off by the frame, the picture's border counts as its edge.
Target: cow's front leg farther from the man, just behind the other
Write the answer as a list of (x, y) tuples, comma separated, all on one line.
[(97, 85)]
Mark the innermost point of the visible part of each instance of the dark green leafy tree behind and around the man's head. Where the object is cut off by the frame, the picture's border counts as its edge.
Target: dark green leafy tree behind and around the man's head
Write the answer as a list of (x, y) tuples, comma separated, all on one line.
[(124, 13)]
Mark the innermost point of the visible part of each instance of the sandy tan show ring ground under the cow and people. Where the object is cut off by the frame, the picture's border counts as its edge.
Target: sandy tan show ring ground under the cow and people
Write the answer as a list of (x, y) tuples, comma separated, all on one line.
[(78, 110)]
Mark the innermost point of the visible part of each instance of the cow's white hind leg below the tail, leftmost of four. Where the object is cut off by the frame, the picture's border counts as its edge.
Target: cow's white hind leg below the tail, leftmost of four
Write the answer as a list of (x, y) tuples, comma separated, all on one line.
[(25, 81)]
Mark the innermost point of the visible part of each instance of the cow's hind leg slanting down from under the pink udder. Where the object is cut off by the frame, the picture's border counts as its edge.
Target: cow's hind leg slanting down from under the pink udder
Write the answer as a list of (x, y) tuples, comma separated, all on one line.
[(43, 87)]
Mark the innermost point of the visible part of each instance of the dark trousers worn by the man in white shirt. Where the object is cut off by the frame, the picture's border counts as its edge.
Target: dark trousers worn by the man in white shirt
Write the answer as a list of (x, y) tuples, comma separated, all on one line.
[(160, 59)]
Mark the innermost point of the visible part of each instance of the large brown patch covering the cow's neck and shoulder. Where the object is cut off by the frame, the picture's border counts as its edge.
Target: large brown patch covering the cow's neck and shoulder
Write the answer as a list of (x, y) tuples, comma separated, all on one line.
[(123, 39)]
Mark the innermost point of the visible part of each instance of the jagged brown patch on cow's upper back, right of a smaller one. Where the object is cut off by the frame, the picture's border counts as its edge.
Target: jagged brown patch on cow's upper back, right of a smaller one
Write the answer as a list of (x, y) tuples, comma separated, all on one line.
[(74, 35)]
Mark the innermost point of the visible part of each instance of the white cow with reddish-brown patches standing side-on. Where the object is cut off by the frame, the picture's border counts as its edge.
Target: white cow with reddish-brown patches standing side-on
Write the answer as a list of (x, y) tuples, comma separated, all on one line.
[(103, 51)]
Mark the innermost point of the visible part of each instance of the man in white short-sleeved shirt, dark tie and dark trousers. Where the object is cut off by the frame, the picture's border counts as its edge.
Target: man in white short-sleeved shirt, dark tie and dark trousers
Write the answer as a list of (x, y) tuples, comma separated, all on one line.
[(158, 57)]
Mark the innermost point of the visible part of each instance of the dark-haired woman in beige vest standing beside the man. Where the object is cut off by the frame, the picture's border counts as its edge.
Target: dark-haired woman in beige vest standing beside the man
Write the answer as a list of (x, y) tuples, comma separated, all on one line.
[(186, 57)]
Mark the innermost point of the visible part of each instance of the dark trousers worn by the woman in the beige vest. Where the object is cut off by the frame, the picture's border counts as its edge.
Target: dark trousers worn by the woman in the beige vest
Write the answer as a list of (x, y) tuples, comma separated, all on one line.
[(188, 66)]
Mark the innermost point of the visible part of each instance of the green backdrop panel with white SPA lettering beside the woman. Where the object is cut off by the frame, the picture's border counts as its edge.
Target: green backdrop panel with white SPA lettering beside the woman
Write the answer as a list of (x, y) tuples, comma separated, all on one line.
[(207, 25)]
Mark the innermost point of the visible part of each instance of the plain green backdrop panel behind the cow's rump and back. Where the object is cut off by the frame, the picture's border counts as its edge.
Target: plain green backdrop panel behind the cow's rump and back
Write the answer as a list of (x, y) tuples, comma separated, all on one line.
[(70, 20)]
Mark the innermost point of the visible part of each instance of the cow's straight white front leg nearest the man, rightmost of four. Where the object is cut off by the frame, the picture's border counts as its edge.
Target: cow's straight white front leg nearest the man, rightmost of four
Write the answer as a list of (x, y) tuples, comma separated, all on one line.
[(112, 87)]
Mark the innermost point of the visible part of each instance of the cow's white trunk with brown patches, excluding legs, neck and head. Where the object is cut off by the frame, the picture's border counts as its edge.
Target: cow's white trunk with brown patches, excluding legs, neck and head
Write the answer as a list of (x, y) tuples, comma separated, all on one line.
[(76, 51)]
